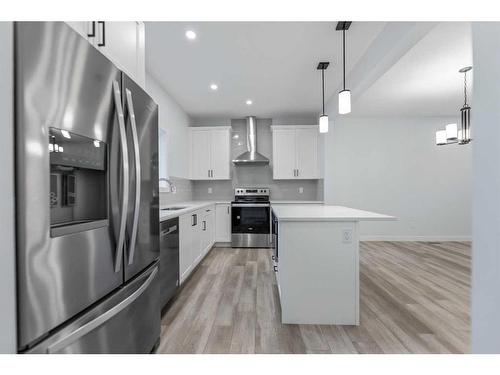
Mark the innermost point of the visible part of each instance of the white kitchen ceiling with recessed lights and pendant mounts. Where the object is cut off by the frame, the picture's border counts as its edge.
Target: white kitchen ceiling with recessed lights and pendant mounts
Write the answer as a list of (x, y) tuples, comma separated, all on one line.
[(271, 63)]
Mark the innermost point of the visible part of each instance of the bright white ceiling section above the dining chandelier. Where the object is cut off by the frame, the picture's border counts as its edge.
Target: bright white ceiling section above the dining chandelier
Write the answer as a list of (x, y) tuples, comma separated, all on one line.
[(425, 81)]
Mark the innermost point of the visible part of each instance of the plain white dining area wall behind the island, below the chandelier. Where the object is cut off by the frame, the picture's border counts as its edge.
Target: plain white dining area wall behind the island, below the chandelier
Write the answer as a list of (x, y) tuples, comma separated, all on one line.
[(392, 166)]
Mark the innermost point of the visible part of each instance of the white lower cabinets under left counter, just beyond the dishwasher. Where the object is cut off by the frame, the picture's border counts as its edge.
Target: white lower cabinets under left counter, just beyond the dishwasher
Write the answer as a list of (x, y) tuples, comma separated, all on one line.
[(196, 238)]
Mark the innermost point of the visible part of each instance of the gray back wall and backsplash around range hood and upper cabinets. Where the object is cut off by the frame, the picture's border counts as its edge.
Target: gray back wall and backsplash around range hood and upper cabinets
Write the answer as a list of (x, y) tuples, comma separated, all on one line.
[(260, 176)]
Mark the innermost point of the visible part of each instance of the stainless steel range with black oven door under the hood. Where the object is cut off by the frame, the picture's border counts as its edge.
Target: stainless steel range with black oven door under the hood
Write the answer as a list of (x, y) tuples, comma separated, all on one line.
[(251, 218)]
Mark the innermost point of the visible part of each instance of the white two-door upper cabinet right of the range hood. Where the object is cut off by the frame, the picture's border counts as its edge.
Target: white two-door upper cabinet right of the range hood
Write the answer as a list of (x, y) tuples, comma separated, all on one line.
[(295, 152)]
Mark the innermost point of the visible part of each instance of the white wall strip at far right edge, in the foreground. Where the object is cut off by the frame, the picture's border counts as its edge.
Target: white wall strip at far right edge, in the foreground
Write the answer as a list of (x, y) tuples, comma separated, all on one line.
[(485, 316)]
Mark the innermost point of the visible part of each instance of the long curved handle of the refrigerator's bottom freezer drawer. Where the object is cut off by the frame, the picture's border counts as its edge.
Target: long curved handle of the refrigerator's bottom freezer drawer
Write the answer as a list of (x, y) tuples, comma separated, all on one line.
[(101, 319)]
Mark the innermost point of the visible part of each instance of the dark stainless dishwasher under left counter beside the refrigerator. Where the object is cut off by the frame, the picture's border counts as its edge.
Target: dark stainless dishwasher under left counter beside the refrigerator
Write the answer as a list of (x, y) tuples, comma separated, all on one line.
[(169, 259)]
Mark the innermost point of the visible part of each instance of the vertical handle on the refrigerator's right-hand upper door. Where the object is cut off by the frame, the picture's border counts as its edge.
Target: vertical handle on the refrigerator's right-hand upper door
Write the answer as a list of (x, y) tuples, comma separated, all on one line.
[(135, 139)]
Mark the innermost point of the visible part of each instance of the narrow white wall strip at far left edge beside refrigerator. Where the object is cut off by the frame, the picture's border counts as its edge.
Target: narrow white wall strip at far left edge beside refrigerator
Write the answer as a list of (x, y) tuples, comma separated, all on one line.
[(7, 249)]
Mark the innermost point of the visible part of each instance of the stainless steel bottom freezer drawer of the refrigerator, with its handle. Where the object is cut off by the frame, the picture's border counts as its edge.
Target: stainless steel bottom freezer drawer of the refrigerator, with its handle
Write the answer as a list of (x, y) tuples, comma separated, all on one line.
[(128, 321)]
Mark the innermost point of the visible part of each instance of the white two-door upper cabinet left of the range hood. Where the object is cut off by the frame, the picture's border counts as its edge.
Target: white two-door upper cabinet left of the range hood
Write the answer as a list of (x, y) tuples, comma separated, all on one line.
[(210, 153)]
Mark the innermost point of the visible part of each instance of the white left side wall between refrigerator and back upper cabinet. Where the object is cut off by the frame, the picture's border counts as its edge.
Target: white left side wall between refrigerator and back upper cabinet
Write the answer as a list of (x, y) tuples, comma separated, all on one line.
[(176, 122)]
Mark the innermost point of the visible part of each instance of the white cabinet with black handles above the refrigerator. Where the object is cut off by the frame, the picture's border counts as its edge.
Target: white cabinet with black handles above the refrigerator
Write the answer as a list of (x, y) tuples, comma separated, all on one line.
[(121, 42)]
